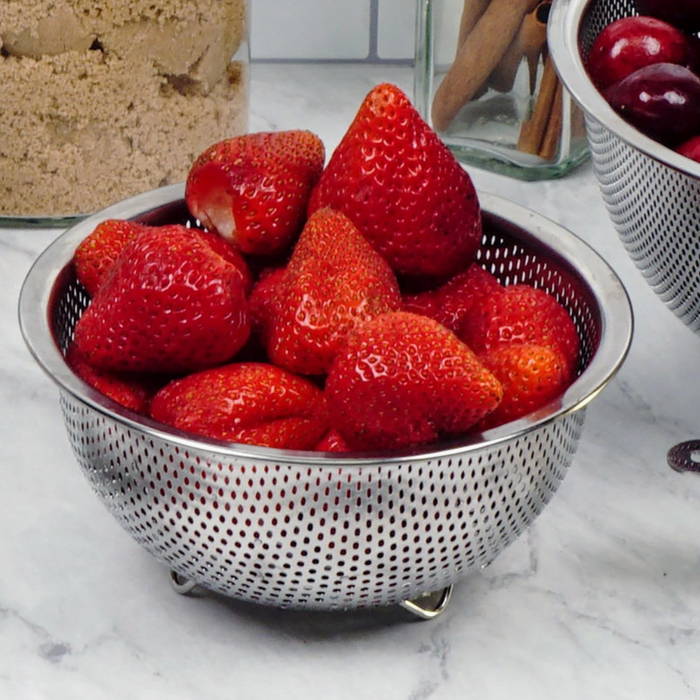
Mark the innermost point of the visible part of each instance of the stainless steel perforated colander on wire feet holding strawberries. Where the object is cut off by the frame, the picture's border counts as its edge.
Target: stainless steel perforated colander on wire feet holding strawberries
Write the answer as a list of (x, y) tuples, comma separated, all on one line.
[(311, 530)]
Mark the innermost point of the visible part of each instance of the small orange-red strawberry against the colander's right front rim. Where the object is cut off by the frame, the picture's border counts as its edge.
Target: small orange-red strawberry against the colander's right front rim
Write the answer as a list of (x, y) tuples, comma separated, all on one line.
[(531, 376)]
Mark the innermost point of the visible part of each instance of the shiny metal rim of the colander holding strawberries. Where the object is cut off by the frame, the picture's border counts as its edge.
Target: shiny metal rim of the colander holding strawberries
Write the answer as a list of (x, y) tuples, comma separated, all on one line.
[(611, 297)]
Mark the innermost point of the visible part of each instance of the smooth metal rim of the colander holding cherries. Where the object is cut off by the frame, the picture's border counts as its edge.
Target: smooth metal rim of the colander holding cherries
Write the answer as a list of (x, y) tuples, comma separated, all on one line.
[(563, 40)]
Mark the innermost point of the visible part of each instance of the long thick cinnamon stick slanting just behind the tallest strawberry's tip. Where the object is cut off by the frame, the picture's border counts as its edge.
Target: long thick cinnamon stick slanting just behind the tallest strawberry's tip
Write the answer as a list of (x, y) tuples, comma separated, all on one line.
[(477, 57)]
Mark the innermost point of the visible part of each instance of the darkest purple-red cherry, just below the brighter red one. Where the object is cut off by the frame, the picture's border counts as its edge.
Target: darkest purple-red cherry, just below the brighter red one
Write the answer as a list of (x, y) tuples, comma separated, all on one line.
[(661, 100)]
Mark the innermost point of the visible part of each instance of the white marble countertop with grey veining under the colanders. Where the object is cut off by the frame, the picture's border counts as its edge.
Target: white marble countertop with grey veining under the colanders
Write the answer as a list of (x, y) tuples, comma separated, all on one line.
[(600, 599)]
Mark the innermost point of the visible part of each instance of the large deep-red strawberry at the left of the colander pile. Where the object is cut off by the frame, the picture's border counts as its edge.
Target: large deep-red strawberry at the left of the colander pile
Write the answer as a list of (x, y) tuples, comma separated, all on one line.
[(169, 304)]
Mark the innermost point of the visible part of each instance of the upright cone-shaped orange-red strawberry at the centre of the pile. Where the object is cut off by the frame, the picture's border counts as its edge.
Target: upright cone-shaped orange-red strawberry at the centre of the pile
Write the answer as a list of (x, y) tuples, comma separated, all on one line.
[(333, 282)]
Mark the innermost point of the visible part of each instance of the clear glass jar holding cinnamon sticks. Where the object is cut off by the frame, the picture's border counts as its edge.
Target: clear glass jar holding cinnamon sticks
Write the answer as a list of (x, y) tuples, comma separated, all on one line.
[(485, 82)]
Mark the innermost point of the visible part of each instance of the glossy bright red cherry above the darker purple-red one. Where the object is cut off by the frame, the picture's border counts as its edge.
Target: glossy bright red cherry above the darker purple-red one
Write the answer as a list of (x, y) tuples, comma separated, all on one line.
[(631, 43)]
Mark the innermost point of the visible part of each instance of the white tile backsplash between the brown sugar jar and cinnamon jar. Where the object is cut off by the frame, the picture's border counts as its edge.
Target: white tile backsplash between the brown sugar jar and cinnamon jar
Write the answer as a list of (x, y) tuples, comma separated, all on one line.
[(374, 30)]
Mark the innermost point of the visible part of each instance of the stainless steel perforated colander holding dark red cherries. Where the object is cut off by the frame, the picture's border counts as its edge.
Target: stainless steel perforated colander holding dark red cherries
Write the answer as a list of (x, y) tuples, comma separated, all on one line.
[(651, 193)]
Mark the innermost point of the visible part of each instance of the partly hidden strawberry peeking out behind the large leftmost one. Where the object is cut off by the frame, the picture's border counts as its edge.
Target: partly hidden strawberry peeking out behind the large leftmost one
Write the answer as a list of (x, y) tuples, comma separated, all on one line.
[(95, 254)]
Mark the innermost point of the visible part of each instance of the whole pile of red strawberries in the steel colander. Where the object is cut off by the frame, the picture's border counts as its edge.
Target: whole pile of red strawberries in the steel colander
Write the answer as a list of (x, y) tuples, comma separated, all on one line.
[(334, 307)]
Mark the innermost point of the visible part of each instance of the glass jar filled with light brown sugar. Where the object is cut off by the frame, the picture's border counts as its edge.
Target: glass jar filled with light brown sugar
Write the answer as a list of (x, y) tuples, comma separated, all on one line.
[(103, 99)]
